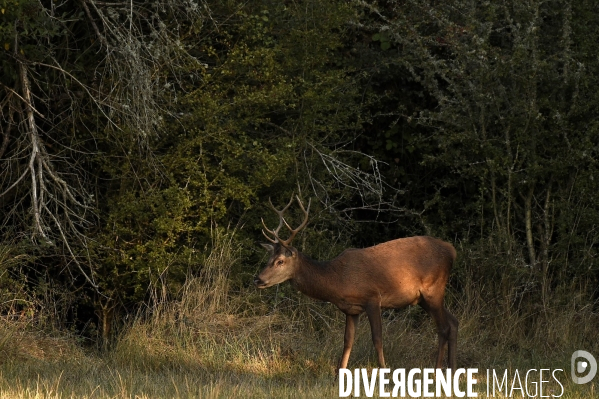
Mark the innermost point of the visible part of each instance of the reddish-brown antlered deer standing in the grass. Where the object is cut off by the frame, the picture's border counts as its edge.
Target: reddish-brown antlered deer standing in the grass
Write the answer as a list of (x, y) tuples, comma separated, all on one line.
[(394, 274)]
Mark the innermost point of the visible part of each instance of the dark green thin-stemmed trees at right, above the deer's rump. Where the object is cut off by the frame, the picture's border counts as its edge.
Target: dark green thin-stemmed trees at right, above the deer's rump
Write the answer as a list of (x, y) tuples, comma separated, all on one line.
[(500, 131)]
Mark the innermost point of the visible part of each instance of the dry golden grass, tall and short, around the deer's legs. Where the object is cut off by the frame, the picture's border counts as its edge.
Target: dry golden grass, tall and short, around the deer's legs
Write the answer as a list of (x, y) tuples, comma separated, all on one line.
[(212, 343)]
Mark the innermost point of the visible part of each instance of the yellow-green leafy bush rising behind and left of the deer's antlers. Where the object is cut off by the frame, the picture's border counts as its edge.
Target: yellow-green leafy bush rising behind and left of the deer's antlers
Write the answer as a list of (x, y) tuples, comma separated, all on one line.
[(233, 138)]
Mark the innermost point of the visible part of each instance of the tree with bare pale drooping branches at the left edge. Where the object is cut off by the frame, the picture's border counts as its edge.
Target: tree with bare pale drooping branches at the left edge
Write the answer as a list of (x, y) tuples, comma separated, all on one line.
[(79, 78)]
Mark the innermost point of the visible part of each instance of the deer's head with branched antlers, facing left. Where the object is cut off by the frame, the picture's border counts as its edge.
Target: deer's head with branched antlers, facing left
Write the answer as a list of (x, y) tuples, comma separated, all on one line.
[(283, 259)]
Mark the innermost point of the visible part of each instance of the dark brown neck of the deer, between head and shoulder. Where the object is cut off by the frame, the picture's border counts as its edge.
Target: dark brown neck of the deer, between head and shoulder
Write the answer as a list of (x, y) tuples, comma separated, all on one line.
[(314, 278)]
